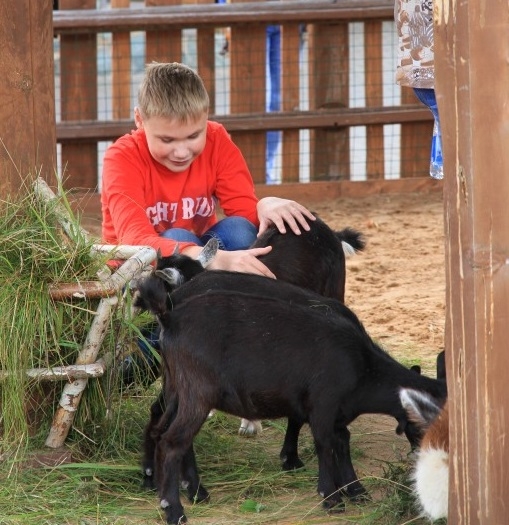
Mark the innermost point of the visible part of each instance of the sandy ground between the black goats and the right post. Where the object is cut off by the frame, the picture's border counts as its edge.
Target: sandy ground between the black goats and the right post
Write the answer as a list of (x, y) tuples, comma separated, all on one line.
[(397, 285)]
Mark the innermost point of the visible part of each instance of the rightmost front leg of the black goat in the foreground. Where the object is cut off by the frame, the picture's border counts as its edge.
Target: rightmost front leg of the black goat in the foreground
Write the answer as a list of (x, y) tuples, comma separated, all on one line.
[(346, 478)]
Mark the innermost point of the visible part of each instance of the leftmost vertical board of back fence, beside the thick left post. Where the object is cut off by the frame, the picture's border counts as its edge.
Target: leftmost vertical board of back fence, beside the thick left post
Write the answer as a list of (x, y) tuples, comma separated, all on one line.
[(78, 56)]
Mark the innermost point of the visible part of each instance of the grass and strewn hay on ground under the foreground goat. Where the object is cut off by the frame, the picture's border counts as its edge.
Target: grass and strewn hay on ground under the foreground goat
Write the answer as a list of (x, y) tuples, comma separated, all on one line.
[(243, 476)]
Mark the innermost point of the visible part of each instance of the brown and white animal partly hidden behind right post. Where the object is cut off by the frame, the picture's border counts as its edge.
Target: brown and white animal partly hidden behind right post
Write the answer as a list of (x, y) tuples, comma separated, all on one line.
[(431, 472)]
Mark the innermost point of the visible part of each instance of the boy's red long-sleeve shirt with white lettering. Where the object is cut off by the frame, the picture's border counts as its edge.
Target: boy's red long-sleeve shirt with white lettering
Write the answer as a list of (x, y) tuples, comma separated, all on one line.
[(141, 198)]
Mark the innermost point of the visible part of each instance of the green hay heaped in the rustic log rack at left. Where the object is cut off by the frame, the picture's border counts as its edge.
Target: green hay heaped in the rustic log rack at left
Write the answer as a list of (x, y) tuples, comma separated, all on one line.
[(36, 331)]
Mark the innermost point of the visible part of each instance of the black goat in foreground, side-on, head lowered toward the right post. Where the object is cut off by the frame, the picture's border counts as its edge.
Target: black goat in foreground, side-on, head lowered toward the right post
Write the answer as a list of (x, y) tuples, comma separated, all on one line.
[(260, 356)]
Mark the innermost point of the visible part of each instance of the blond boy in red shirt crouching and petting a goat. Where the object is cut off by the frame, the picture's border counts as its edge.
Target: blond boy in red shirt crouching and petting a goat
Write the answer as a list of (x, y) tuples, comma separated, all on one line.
[(161, 182)]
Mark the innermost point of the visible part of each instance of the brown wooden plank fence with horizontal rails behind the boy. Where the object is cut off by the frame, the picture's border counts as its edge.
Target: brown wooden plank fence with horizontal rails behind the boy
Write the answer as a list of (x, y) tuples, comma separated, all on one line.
[(328, 117)]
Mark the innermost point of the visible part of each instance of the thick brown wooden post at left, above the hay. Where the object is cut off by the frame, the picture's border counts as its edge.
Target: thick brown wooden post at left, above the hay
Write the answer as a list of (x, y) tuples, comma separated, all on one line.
[(27, 92)]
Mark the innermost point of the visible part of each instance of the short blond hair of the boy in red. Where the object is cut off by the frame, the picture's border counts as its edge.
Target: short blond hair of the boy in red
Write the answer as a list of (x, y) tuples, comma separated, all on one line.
[(172, 90)]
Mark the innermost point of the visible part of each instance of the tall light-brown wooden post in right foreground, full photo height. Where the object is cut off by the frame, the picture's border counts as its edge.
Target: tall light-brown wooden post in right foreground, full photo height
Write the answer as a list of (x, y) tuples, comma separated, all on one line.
[(472, 79)]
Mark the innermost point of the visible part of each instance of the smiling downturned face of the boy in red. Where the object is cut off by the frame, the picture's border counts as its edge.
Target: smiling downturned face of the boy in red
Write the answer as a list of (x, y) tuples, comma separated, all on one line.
[(173, 144)]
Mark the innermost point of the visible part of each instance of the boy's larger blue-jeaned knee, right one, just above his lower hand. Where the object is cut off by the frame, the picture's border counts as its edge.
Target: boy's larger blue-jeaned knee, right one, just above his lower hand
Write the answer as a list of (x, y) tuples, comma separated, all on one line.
[(233, 233)]
